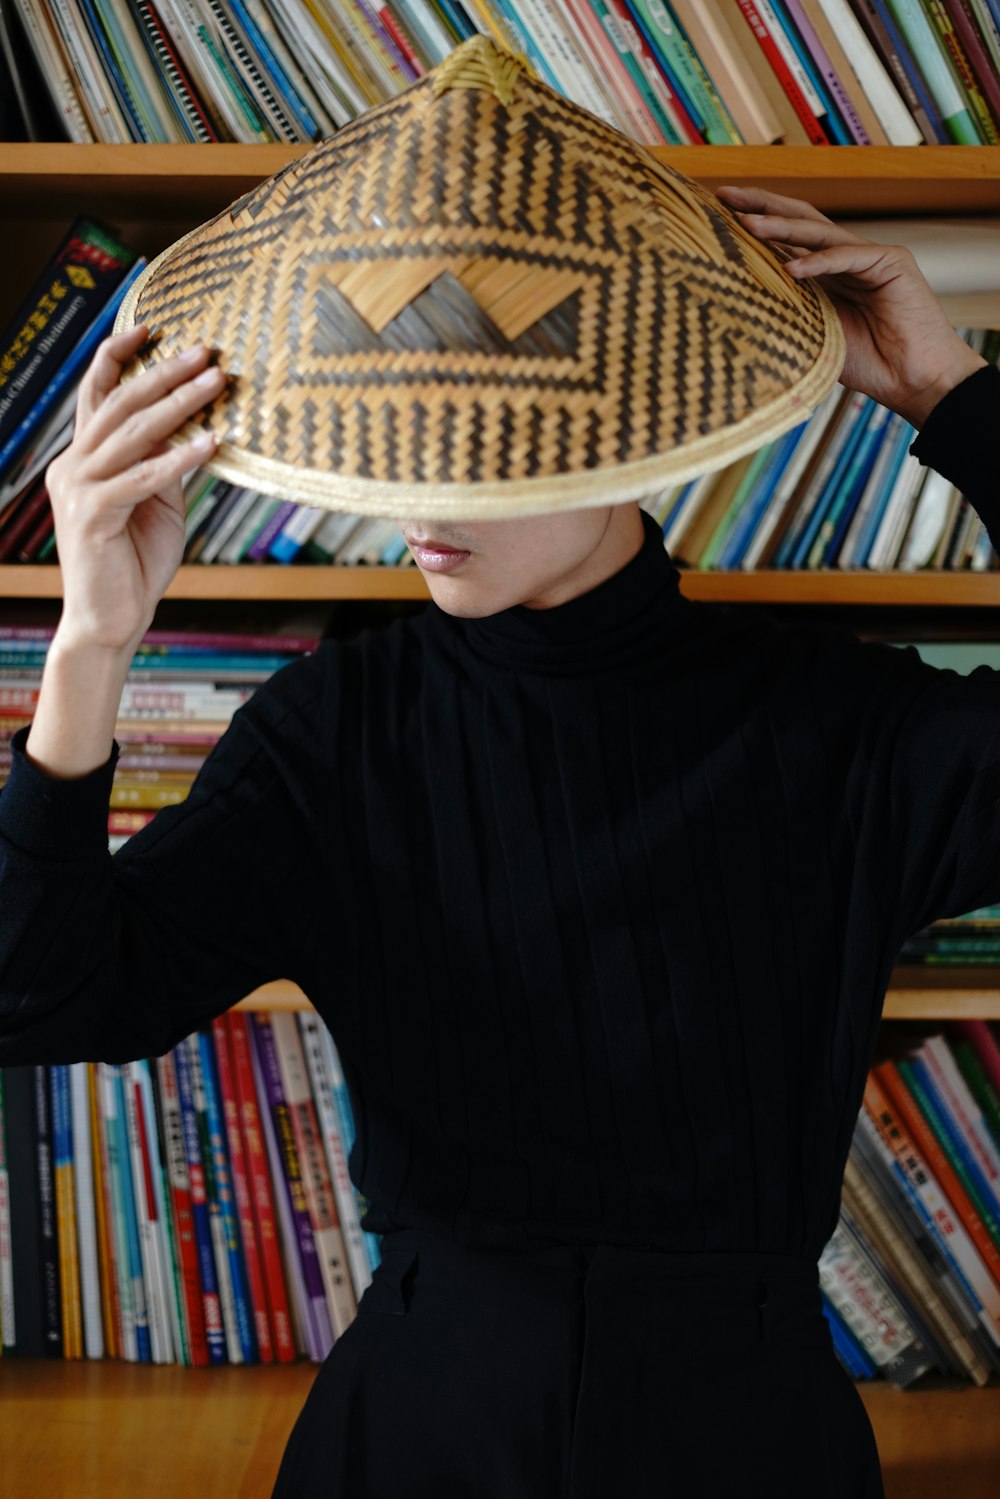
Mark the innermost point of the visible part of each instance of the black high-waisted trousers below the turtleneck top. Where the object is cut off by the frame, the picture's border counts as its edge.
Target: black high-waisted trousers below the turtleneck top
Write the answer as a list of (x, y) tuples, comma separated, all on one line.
[(587, 1372)]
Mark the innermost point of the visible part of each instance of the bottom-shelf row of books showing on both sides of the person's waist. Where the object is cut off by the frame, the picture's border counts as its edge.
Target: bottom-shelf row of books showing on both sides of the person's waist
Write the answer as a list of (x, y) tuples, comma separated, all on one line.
[(197, 1209)]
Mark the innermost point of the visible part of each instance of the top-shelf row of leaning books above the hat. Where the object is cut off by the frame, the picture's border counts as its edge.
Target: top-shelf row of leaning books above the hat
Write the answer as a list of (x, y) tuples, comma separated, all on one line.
[(663, 71)]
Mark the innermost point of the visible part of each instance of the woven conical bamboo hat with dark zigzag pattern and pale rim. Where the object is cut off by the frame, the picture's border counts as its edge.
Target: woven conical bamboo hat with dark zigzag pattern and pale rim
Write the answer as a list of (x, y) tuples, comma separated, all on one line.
[(478, 301)]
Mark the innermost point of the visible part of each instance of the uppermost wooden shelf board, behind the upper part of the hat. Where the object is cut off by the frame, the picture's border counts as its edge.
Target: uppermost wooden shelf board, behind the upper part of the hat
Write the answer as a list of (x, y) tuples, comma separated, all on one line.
[(55, 179)]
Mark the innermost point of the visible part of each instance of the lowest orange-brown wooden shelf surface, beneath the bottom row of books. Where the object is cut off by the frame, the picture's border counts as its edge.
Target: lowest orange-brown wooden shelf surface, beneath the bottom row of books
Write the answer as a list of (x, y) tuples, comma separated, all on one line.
[(124, 1432)]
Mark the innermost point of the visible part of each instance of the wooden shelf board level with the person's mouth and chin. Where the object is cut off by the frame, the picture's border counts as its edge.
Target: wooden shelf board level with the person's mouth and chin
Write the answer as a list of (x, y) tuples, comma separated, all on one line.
[(827, 587)]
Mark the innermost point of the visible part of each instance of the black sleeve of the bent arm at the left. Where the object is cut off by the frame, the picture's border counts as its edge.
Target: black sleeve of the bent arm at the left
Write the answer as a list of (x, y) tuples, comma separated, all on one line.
[(116, 957)]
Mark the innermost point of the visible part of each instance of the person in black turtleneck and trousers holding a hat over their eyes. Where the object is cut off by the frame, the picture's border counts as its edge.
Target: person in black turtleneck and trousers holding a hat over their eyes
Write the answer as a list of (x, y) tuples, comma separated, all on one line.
[(599, 891)]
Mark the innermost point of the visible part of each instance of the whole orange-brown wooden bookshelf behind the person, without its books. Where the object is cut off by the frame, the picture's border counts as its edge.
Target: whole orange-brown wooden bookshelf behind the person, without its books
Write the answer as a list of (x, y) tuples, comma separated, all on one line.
[(118, 1429)]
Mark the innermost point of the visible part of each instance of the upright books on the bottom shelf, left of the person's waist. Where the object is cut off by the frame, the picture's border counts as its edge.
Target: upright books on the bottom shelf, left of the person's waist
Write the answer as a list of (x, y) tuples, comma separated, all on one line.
[(196, 1209)]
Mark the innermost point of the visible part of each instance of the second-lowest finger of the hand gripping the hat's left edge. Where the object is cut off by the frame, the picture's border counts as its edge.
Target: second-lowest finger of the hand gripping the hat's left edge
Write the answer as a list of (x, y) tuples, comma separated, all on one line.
[(130, 429)]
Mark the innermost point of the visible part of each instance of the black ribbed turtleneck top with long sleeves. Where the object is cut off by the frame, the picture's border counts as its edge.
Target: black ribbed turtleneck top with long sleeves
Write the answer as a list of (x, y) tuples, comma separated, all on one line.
[(600, 902)]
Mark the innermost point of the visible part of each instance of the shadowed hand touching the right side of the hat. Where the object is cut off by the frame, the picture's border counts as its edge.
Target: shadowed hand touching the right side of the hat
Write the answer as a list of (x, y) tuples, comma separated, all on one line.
[(902, 350)]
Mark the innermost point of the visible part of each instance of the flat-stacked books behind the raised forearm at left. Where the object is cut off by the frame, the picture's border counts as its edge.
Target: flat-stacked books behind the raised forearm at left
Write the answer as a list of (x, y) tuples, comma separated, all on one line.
[(181, 695)]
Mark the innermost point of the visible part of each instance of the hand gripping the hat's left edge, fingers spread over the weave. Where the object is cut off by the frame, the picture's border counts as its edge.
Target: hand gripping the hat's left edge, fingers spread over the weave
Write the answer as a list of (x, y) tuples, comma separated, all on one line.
[(116, 491)]
